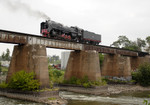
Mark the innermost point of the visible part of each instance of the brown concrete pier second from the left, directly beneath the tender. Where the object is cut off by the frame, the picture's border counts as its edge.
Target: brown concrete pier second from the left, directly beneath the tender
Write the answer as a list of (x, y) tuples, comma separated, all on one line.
[(83, 63)]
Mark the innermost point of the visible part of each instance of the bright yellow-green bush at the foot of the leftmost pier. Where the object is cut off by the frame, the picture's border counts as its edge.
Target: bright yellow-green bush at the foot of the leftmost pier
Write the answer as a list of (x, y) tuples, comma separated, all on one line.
[(24, 81)]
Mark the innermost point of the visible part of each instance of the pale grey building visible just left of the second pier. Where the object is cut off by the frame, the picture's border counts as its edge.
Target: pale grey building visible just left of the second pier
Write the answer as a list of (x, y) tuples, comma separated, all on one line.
[(64, 59)]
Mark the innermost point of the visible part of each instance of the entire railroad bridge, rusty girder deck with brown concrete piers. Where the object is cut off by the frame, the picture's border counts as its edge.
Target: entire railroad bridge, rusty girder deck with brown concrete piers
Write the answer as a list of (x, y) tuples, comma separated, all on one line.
[(30, 55)]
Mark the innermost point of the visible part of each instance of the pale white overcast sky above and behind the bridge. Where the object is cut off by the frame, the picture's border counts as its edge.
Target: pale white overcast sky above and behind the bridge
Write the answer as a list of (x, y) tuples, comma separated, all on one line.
[(110, 18)]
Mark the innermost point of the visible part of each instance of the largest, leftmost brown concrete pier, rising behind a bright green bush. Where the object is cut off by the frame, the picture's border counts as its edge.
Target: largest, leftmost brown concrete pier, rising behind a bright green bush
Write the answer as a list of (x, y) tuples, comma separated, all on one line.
[(30, 58)]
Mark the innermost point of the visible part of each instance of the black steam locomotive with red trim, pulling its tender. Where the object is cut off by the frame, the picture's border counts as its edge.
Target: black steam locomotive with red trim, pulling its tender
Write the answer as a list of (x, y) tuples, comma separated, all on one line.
[(55, 30)]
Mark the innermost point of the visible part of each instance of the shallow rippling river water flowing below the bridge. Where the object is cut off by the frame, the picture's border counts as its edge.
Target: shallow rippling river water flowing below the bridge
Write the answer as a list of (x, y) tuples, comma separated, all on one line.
[(131, 98)]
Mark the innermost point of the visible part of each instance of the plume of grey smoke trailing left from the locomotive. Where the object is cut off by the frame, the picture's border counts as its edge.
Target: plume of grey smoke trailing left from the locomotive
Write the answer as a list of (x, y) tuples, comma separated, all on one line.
[(15, 5)]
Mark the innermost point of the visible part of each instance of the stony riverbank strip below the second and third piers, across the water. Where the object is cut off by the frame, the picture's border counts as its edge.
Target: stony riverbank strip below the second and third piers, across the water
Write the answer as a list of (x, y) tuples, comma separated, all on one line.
[(104, 90)]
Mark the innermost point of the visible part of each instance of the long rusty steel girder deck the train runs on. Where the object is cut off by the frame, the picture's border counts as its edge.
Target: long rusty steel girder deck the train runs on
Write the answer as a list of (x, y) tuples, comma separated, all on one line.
[(23, 38)]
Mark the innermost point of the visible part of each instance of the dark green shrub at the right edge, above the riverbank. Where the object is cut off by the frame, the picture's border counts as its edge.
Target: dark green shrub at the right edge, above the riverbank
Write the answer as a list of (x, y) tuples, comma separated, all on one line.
[(142, 76)]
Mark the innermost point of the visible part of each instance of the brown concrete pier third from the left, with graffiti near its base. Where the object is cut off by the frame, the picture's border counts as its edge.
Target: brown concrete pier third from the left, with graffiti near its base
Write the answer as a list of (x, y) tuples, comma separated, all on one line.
[(115, 65)]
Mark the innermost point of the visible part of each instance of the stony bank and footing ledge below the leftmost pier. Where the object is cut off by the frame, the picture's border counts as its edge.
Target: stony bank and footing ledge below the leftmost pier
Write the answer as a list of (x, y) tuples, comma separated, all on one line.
[(46, 97)]
